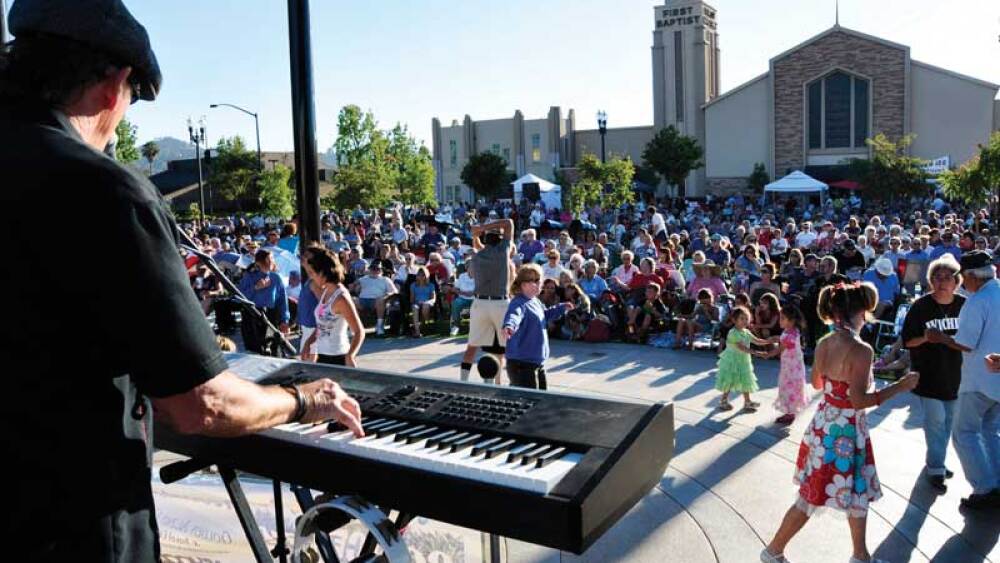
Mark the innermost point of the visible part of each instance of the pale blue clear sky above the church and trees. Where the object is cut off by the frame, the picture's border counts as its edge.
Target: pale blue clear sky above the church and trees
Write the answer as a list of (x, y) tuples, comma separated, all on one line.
[(412, 60)]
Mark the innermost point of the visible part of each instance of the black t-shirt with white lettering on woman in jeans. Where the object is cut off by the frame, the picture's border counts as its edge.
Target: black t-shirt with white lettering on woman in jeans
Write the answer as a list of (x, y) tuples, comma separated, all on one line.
[(940, 367)]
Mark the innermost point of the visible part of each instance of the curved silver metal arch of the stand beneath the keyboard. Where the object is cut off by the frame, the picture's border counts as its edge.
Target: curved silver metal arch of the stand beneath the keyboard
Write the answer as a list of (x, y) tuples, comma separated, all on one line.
[(370, 516)]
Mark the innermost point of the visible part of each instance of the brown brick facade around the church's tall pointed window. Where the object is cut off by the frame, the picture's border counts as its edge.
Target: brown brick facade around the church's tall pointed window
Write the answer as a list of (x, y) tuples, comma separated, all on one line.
[(884, 64)]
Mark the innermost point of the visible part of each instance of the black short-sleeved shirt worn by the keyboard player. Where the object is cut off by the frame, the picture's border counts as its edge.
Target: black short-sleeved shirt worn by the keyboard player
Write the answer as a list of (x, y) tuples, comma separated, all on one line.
[(99, 314)]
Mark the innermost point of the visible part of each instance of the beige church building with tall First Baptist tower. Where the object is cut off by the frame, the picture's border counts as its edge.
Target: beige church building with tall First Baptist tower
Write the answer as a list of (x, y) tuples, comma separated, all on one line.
[(812, 110)]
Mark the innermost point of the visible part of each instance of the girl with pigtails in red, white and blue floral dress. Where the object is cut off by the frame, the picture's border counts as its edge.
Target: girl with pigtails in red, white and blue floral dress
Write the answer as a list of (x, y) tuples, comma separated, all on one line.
[(836, 464)]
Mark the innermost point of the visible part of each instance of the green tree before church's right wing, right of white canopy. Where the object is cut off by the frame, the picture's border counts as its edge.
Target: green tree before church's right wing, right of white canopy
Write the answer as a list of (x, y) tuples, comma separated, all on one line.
[(889, 172)]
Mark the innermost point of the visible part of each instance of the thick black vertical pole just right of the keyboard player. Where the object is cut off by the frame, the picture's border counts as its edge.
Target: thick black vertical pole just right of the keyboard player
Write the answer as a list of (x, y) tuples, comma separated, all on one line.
[(303, 120)]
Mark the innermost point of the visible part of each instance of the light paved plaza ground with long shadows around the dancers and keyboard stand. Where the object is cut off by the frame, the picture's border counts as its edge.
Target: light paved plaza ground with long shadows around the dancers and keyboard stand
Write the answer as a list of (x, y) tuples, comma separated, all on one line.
[(720, 500)]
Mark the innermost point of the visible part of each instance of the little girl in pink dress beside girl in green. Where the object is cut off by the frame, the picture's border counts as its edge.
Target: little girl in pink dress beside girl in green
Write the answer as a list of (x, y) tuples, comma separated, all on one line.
[(792, 375)]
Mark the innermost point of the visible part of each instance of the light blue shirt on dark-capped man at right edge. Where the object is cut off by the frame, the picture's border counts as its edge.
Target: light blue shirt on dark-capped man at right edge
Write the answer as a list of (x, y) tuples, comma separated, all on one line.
[(979, 329)]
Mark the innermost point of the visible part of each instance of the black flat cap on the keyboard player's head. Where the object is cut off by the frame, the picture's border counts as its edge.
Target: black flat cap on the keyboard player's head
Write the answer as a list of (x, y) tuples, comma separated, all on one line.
[(105, 25)]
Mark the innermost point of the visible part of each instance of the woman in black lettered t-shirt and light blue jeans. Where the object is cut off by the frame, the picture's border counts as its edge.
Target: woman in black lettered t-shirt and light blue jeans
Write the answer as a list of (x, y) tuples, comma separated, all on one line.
[(939, 366)]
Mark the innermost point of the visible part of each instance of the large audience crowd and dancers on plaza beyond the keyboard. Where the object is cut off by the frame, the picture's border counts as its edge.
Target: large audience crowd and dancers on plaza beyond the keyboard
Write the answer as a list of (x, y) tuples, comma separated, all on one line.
[(747, 278)]
